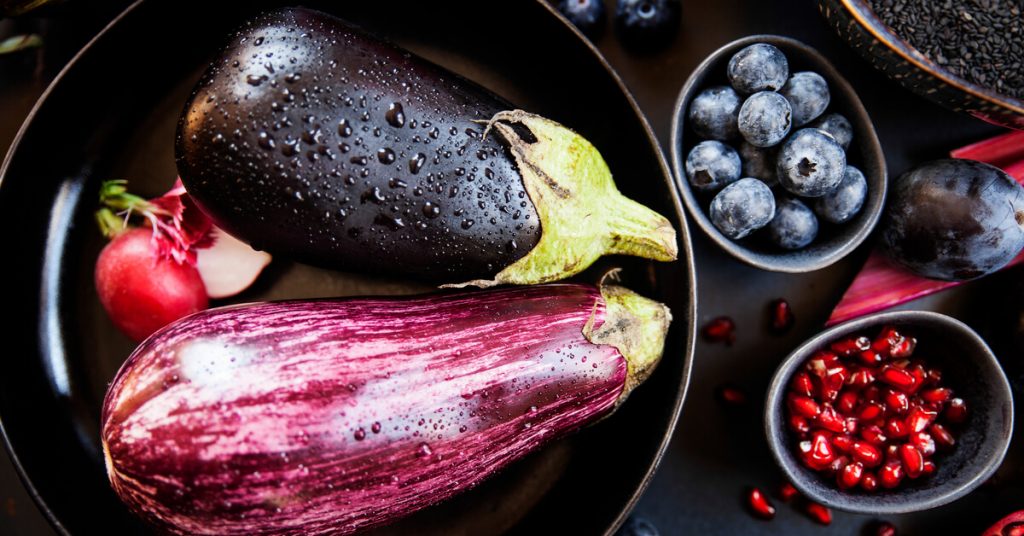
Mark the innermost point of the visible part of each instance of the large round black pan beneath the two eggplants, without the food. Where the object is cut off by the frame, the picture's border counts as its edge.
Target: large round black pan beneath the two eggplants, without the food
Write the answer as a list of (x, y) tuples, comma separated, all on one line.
[(112, 113)]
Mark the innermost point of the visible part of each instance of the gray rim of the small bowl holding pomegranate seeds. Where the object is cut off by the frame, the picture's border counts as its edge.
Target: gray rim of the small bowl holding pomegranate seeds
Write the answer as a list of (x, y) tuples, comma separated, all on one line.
[(775, 431)]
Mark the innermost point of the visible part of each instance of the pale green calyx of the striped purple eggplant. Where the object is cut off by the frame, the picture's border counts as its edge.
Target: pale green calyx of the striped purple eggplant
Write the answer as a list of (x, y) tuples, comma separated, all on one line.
[(634, 325)]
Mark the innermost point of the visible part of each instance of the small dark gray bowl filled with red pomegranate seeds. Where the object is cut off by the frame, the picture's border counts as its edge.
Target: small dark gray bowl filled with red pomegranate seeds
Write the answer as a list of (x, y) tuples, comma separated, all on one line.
[(890, 414)]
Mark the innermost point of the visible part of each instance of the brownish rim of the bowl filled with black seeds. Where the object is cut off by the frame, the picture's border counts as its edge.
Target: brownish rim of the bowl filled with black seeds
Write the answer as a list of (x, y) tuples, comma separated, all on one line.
[(870, 21)]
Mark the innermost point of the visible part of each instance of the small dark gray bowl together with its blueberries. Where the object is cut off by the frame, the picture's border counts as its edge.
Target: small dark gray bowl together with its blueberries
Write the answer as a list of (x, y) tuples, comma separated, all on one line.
[(776, 157)]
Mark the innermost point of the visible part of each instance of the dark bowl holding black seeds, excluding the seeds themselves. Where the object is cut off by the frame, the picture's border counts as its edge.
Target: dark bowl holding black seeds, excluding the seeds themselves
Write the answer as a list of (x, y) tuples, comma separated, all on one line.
[(858, 25)]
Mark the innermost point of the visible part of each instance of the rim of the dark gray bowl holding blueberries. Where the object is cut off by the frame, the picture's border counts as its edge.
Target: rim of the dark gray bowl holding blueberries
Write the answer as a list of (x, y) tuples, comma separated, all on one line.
[(779, 262)]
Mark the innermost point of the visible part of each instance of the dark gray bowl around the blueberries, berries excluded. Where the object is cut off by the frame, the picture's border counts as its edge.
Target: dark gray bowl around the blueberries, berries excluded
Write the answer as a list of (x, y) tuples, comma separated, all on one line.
[(834, 242)]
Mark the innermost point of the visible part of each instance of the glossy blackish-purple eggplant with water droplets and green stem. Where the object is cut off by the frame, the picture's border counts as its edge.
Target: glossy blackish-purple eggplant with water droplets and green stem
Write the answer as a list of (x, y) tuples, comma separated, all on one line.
[(311, 139)]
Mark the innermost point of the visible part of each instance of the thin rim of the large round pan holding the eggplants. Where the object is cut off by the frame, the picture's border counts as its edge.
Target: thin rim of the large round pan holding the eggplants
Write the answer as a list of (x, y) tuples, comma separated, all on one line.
[(686, 327)]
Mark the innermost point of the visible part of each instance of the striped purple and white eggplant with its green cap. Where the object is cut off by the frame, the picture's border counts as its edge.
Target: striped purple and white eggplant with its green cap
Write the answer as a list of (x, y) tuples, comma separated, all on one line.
[(332, 417)]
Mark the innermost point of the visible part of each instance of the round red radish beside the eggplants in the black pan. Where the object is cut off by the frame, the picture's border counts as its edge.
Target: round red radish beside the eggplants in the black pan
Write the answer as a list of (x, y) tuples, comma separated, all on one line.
[(143, 293)]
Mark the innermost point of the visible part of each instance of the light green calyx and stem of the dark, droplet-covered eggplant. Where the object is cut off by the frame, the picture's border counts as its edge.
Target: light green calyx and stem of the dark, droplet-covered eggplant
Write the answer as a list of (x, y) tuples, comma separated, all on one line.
[(583, 215)]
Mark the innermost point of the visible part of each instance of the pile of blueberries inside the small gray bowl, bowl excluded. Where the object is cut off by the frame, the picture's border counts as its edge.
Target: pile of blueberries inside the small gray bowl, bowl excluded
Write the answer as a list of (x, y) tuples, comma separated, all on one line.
[(786, 155)]
